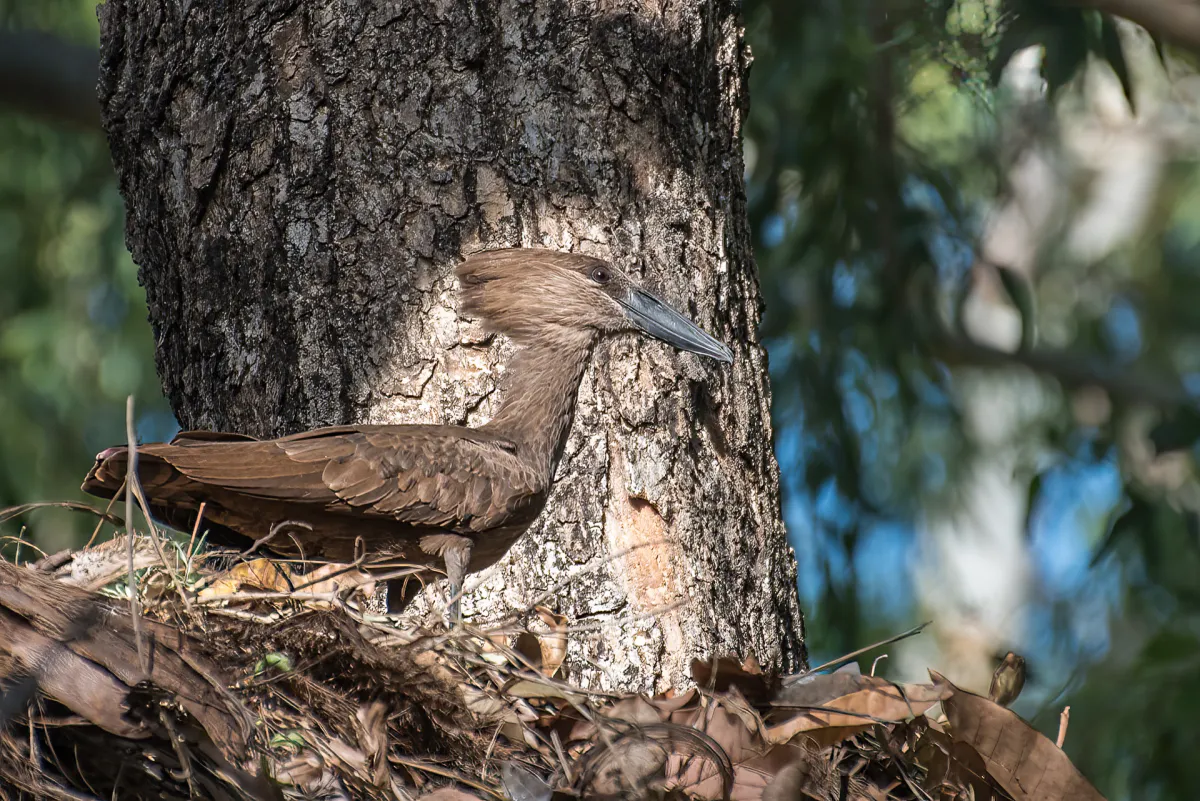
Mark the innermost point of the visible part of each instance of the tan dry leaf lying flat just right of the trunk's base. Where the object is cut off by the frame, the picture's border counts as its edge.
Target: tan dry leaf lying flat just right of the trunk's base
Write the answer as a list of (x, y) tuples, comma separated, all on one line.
[(865, 701)]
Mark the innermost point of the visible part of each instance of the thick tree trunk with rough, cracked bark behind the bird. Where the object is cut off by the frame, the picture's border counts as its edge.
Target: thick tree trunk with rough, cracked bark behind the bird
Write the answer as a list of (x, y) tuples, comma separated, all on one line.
[(301, 179)]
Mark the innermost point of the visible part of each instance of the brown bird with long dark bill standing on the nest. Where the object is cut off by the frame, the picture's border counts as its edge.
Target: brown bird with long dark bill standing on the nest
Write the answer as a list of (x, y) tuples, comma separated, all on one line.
[(419, 493)]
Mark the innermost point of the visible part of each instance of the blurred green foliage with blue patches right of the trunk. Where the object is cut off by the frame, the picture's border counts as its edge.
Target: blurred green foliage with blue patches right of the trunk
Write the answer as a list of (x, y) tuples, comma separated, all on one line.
[(874, 154)]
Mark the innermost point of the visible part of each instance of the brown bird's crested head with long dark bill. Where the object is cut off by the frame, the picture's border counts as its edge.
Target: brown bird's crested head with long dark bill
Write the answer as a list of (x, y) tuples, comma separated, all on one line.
[(545, 297)]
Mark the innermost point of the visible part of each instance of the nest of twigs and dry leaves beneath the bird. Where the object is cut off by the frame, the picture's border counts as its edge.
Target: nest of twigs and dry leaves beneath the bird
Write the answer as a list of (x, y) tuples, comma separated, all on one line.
[(245, 683)]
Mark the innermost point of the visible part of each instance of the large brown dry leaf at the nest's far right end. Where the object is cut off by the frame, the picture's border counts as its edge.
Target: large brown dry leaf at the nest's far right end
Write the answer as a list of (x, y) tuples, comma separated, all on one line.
[(1025, 763)]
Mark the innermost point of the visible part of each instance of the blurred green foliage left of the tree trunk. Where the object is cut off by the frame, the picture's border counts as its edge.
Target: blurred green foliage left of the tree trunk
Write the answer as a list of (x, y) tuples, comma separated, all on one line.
[(74, 334)]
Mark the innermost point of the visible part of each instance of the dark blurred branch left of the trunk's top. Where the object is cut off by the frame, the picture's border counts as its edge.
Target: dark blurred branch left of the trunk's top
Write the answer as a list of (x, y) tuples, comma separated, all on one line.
[(50, 77)]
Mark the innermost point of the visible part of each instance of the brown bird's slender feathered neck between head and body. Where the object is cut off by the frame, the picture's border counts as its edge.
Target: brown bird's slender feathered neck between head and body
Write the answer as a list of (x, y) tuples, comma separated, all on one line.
[(539, 405)]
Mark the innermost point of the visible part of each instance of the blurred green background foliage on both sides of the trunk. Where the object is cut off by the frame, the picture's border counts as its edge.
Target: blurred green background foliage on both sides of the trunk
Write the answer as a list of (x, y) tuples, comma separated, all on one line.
[(873, 154)]
